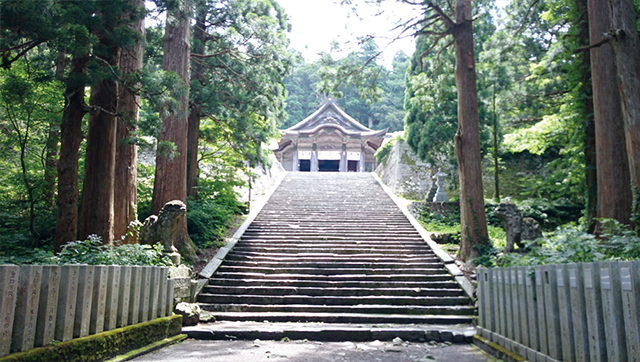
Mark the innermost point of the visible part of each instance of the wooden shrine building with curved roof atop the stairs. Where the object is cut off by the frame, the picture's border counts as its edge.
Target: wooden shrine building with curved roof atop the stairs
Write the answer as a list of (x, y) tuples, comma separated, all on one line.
[(329, 140)]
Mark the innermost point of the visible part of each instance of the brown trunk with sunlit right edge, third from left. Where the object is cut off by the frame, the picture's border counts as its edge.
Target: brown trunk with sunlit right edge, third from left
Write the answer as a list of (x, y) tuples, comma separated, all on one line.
[(125, 185)]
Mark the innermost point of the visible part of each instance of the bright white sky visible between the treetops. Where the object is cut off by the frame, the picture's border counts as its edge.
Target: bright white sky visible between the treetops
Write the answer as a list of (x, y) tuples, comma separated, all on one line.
[(317, 23)]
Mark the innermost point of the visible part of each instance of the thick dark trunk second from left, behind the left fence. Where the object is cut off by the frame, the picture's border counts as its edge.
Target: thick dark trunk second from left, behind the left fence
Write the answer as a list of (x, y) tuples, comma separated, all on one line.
[(97, 192)]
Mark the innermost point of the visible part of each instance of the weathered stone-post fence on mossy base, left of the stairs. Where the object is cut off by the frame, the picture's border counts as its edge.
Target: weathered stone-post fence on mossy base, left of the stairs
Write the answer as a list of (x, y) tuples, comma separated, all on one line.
[(43, 303)]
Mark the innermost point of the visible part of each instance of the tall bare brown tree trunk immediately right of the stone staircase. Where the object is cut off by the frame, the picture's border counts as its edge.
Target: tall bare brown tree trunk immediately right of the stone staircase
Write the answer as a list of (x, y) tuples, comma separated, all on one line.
[(467, 139)]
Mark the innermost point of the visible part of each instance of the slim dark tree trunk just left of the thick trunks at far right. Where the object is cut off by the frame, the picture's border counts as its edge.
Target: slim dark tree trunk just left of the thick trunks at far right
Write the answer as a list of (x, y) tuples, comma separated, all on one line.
[(591, 174)]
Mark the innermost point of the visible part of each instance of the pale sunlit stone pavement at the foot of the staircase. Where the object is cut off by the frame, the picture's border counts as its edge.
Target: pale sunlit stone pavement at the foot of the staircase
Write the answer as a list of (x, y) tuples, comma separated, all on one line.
[(305, 351)]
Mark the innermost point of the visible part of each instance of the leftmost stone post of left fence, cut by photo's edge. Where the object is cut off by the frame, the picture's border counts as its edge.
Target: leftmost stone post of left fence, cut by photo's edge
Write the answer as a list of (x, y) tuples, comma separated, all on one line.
[(9, 275)]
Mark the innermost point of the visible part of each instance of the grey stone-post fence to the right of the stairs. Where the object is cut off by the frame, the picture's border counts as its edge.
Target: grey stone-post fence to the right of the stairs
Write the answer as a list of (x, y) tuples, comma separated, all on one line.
[(570, 312)]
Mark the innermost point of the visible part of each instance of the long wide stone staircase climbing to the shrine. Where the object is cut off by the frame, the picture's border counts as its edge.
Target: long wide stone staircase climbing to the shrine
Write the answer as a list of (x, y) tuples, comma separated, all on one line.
[(334, 248)]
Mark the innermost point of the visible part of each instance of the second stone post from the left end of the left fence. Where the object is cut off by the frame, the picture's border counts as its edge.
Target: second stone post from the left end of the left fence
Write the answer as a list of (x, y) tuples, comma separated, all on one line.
[(24, 322)]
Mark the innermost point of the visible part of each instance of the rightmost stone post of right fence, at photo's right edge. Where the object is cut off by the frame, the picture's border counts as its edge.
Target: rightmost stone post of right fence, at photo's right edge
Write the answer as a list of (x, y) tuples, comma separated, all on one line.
[(630, 287)]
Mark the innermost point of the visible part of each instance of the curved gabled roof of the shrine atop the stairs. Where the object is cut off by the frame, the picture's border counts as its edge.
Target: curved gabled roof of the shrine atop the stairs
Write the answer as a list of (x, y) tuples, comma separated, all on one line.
[(329, 115)]
